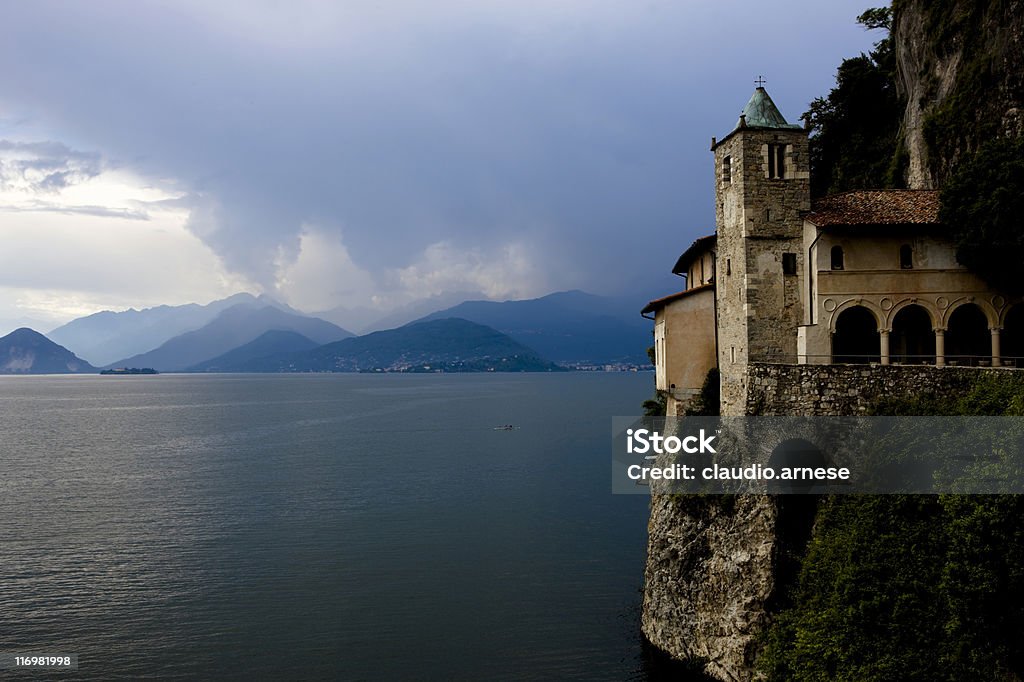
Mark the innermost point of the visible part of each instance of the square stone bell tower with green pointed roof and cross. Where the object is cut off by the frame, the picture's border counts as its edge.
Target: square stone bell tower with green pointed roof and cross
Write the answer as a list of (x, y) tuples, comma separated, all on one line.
[(762, 192)]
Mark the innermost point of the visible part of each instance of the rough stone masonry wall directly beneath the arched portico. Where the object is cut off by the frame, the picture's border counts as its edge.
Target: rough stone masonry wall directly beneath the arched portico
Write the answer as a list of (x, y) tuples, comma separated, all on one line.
[(849, 390)]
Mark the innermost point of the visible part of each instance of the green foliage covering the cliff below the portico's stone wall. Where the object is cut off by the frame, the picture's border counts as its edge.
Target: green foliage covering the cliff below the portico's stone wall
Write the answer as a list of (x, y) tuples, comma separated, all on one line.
[(911, 587)]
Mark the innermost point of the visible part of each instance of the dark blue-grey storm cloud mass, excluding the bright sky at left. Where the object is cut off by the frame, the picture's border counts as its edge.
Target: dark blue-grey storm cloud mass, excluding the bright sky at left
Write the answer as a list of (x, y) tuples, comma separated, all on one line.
[(577, 129)]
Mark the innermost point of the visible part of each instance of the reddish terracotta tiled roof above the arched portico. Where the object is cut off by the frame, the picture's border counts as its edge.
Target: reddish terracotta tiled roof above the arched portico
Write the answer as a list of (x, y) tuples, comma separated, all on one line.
[(878, 207)]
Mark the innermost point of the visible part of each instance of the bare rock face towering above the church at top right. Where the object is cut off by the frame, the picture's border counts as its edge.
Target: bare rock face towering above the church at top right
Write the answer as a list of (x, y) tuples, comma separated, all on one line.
[(961, 67)]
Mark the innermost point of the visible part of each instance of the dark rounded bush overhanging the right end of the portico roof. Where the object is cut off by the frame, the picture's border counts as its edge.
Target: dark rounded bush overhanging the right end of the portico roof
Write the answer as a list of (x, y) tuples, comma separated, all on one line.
[(983, 206)]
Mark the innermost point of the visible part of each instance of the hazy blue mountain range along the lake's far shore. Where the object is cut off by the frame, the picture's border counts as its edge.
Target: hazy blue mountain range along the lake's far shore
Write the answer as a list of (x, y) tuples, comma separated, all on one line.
[(245, 333)]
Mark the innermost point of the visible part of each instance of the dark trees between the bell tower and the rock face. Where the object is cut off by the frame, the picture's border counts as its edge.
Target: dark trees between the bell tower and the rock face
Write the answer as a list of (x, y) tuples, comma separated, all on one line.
[(856, 132)]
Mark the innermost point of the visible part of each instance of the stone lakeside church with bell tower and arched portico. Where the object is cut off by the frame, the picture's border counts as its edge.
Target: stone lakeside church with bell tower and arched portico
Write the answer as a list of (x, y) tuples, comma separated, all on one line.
[(862, 278)]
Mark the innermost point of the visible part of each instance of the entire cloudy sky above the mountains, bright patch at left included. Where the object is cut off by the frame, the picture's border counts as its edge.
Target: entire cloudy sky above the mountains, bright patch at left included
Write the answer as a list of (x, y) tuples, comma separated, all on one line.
[(369, 155)]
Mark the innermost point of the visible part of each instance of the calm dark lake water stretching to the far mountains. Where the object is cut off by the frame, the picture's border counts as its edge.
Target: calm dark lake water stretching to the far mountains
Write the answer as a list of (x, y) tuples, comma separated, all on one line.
[(321, 527)]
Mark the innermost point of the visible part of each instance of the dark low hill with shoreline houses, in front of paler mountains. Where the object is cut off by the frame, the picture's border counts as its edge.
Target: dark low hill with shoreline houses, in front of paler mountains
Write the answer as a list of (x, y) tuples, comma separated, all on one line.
[(441, 346)]
